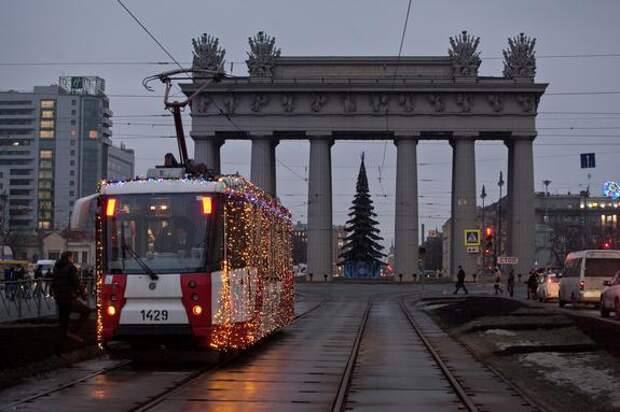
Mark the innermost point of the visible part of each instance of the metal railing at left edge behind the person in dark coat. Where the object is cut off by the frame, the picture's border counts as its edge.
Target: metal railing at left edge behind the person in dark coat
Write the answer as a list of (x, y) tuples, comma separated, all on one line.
[(31, 299)]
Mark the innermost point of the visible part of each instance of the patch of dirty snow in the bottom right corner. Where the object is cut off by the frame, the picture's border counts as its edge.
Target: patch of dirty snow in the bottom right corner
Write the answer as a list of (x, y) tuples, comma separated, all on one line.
[(577, 370)]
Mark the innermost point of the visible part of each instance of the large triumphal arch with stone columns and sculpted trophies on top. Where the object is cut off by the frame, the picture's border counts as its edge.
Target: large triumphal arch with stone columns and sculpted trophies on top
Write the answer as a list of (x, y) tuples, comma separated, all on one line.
[(402, 99)]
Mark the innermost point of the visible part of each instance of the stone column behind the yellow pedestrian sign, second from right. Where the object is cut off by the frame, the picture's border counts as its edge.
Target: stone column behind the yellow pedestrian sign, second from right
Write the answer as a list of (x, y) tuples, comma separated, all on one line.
[(464, 214)]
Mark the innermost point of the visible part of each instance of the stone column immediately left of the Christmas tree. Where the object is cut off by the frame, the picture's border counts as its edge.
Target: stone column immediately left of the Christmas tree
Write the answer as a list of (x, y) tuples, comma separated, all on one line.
[(320, 209)]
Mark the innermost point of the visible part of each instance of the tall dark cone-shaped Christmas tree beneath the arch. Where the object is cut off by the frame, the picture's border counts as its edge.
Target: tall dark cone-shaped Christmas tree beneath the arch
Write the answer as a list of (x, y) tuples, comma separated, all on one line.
[(361, 254)]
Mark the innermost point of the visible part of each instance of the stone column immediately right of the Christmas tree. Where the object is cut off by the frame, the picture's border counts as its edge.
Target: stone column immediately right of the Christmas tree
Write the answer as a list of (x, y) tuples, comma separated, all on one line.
[(406, 225)]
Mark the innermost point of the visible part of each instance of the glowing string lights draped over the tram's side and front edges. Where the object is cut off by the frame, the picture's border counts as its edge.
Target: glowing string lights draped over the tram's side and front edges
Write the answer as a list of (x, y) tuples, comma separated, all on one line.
[(257, 242)]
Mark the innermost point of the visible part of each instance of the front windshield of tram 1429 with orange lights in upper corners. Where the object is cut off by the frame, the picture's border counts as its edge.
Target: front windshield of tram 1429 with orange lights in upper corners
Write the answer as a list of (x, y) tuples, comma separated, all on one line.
[(169, 233)]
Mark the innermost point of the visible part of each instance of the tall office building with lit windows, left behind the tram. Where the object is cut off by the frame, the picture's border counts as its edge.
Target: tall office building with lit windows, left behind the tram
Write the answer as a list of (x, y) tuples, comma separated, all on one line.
[(55, 145)]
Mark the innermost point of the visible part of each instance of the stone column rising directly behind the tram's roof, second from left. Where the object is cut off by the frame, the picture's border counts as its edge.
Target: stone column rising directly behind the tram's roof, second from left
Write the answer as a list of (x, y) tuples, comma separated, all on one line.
[(263, 166)]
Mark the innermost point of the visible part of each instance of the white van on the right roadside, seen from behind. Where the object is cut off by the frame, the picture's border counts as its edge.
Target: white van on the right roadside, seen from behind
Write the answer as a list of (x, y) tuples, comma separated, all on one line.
[(584, 274)]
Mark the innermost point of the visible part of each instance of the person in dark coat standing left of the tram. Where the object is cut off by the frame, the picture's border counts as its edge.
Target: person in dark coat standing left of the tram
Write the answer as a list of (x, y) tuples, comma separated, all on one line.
[(67, 288)]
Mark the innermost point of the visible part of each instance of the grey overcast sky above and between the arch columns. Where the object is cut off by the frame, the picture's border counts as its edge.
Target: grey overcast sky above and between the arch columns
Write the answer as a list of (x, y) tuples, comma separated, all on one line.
[(81, 31)]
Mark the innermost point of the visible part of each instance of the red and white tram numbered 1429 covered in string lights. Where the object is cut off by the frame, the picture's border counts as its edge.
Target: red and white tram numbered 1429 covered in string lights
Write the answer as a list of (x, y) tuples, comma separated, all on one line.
[(190, 261)]
